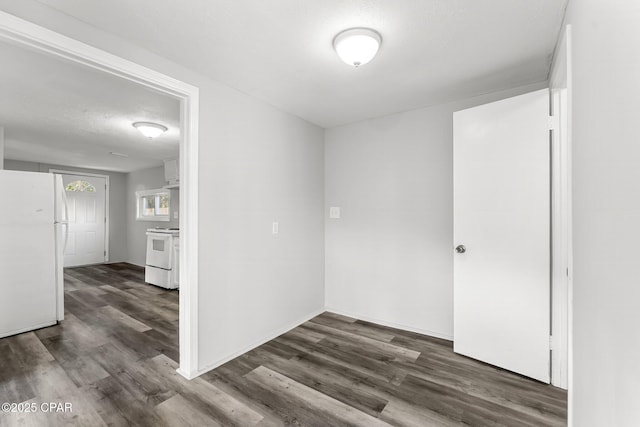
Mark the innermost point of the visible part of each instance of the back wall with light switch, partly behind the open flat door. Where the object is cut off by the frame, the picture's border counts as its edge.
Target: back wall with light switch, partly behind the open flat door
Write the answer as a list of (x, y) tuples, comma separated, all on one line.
[(389, 258)]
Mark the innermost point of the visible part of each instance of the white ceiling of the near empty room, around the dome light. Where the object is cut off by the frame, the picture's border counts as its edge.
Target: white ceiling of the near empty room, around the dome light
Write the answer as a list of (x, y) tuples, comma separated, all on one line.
[(280, 51)]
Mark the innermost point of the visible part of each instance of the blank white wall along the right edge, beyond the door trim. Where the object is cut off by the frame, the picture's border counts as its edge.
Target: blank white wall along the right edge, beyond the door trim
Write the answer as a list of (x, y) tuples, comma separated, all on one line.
[(606, 206)]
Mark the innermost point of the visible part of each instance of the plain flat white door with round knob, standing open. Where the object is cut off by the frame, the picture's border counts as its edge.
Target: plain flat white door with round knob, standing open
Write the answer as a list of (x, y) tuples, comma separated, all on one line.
[(502, 218)]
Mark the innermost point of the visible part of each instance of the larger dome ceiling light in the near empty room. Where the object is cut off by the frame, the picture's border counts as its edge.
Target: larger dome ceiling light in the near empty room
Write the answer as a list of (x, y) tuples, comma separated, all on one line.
[(357, 46)]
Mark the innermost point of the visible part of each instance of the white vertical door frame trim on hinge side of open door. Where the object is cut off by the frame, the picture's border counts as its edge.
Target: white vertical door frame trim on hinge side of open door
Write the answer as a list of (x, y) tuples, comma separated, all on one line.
[(560, 91)]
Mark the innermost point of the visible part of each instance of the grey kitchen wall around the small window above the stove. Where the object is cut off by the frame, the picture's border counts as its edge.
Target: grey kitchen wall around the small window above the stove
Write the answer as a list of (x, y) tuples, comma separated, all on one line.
[(145, 179)]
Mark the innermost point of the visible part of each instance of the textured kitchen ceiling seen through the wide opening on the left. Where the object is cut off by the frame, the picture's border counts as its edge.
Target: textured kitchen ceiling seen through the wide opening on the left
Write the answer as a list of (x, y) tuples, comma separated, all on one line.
[(59, 112)]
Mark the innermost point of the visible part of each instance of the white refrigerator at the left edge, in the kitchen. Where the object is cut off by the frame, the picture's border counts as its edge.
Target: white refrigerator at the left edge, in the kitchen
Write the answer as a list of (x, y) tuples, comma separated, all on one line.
[(33, 229)]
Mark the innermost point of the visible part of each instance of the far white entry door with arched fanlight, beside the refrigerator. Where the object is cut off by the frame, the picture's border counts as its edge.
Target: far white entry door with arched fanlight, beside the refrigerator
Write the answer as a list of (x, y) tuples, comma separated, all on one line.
[(86, 200)]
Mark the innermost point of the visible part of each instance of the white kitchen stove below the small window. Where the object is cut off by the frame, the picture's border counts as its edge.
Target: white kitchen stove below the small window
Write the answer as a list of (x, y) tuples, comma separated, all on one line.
[(162, 264)]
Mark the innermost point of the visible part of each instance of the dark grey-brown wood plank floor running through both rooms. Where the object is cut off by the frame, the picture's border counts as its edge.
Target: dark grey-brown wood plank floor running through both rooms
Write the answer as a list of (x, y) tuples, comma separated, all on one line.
[(114, 358)]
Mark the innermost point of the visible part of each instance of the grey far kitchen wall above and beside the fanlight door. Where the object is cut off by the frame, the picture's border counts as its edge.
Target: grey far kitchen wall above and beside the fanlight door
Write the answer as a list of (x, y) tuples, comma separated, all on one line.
[(117, 202)]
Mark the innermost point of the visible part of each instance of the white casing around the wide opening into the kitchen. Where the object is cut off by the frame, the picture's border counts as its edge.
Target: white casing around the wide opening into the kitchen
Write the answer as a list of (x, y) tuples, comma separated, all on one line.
[(33, 36)]
